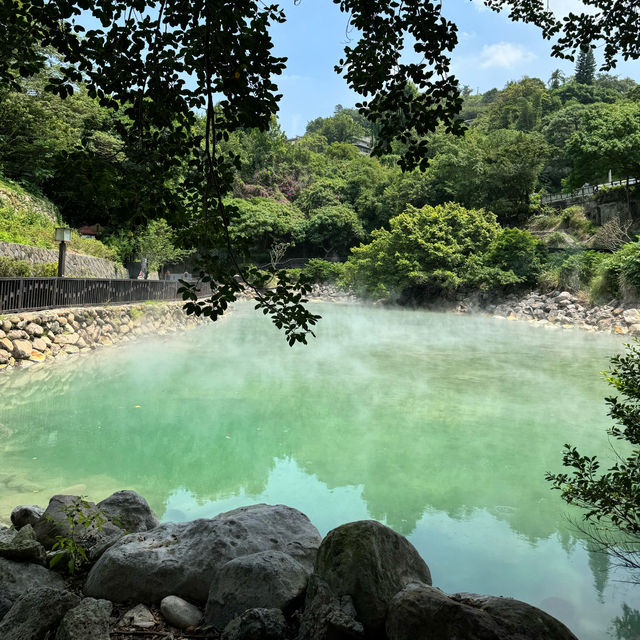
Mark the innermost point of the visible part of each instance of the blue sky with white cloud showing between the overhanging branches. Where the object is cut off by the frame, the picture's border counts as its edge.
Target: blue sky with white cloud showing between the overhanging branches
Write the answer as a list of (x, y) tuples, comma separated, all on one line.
[(492, 51)]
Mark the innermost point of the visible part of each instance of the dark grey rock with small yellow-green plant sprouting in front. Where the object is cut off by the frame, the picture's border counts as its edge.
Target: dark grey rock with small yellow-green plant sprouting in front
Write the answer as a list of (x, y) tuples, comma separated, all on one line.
[(54, 522)]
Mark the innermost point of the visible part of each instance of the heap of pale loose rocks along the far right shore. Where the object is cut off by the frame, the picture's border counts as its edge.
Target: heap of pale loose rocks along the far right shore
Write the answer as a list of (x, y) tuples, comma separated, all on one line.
[(563, 309)]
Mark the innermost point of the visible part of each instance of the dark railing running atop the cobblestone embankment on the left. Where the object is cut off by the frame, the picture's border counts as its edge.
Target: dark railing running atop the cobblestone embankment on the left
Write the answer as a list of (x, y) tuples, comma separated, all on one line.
[(31, 294)]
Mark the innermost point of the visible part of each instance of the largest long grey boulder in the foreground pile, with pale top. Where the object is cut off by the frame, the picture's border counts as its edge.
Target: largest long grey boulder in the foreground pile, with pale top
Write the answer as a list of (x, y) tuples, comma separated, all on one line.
[(182, 558)]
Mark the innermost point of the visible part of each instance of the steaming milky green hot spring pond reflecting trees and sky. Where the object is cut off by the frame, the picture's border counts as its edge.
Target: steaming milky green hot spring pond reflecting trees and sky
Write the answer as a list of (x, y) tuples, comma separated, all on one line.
[(441, 426)]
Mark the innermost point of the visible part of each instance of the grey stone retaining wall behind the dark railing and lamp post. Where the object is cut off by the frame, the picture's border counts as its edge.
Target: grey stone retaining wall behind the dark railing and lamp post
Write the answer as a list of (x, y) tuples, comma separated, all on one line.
[(76, 265)]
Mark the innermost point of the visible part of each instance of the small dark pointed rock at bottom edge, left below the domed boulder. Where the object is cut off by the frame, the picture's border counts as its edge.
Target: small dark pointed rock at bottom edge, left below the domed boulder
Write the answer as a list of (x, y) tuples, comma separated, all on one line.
[(326, 616)]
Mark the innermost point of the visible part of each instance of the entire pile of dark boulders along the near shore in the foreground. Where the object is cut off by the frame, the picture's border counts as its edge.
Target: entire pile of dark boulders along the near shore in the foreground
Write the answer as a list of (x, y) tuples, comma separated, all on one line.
[(256, 573)]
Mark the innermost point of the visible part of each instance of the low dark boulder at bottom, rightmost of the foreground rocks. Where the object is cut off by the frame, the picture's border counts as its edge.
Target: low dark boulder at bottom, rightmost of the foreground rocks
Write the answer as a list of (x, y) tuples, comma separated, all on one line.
[(420, 612)]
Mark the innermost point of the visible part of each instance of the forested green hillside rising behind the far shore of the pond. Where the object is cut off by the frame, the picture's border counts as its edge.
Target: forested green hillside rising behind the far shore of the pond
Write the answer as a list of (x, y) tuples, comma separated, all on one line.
[(319, 195)]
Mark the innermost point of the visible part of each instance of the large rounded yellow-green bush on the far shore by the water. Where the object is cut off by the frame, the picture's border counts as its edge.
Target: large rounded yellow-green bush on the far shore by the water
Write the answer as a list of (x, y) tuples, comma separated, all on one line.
[(437, 250)]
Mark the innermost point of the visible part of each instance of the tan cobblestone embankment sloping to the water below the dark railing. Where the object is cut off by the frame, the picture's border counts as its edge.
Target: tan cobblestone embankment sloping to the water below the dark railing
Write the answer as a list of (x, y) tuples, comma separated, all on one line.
[(35, 337)]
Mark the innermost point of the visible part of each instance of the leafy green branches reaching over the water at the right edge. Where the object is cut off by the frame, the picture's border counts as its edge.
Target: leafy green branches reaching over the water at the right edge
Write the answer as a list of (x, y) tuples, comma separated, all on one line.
[(611, 498)]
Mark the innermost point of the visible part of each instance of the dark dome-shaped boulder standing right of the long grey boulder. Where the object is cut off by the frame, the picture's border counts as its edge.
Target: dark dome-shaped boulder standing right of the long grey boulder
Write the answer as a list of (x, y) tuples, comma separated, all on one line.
[(371, 563)]
